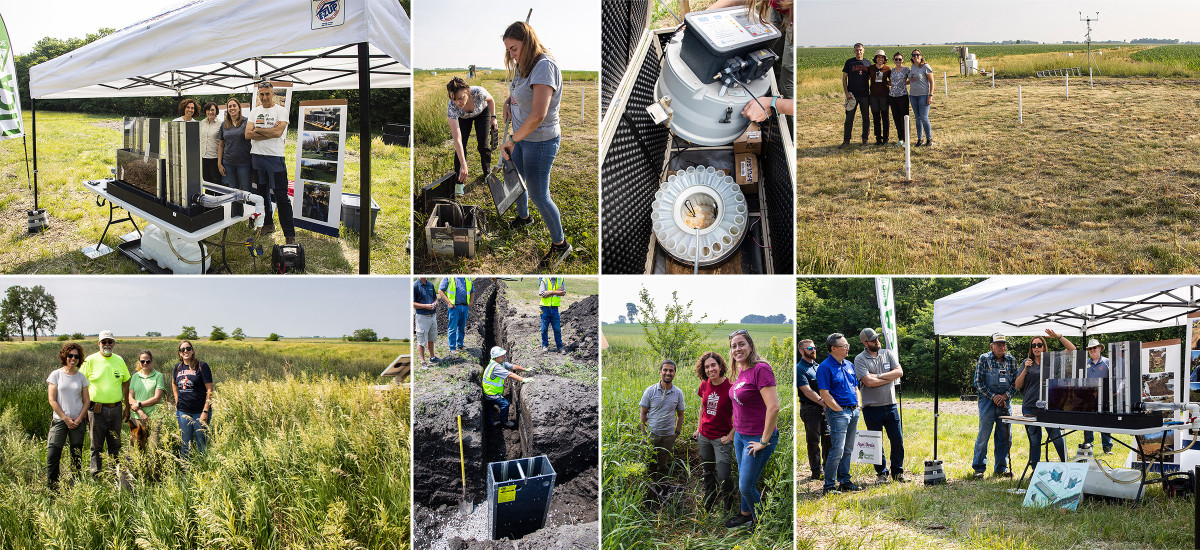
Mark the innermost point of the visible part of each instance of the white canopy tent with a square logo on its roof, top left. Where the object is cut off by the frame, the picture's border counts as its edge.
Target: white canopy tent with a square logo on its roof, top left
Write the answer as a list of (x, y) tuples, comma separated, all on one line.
[(226, 46)]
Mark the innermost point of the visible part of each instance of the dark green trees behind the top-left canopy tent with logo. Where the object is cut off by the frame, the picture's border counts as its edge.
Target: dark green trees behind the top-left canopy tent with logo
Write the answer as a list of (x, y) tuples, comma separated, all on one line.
[(387, 105)]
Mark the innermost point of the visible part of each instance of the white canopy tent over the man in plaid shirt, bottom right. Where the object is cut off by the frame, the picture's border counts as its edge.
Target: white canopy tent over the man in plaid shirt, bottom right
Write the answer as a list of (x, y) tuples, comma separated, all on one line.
[(1072, 306)]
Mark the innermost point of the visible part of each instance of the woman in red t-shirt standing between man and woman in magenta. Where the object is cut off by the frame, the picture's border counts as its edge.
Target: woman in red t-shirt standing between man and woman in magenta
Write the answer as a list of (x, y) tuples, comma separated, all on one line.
[(715, 428)]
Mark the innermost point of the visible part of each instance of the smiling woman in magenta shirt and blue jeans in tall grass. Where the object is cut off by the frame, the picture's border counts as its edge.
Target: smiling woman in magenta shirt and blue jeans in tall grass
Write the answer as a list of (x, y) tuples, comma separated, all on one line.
[(755, 415)]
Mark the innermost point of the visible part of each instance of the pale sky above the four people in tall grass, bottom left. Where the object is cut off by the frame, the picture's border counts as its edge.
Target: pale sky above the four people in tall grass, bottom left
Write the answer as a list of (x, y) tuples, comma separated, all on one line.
[(289, 306)]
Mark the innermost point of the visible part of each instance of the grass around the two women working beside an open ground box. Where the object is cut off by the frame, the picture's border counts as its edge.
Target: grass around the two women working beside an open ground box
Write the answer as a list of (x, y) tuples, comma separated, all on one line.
[(573, 183)]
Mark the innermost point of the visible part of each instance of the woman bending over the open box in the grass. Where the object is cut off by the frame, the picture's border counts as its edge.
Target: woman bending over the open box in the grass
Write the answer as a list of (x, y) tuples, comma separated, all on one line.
[(470, 106)]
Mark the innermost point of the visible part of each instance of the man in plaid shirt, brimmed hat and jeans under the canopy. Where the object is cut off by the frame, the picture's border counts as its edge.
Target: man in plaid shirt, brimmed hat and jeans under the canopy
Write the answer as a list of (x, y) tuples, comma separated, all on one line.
[(995, 374)]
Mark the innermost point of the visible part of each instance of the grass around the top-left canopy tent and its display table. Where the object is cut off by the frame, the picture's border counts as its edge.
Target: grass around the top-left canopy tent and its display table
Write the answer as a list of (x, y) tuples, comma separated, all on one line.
[(74, 148)]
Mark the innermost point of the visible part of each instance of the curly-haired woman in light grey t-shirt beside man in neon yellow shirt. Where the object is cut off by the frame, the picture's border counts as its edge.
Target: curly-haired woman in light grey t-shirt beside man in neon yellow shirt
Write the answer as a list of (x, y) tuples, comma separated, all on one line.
[(69, 398)]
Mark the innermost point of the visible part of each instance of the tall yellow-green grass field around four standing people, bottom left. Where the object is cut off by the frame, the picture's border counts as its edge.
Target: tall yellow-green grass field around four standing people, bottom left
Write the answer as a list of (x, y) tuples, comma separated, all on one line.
[(303, 455)]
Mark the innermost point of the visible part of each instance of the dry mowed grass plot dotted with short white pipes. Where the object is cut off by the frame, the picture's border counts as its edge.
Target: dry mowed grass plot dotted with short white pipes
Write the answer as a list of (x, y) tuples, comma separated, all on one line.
[(1103, 182)]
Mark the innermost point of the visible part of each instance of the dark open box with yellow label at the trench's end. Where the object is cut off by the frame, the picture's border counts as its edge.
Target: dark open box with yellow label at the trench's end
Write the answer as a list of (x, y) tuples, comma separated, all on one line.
[(519, 494)]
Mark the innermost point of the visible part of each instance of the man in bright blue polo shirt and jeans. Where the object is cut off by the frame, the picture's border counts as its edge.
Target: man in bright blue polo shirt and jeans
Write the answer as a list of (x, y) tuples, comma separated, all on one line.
[(839, 391)]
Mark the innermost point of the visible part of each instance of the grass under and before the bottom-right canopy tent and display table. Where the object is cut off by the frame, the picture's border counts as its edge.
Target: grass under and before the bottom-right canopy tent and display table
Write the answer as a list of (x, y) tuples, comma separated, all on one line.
[(969, 515)]
